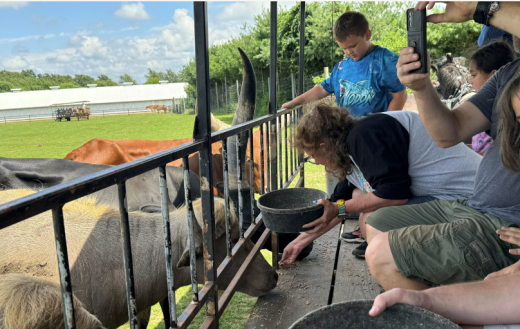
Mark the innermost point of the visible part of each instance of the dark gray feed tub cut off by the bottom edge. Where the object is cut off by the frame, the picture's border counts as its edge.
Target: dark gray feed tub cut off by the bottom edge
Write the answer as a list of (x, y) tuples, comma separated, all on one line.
[(354, 315)]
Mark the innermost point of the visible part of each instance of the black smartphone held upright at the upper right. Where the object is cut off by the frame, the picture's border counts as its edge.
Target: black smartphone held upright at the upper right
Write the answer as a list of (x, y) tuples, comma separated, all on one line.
[(416, 27)]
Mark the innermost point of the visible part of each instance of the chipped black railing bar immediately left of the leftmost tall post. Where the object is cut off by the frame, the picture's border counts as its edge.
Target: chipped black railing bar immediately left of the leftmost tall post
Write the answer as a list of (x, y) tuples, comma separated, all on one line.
[(189, 216)]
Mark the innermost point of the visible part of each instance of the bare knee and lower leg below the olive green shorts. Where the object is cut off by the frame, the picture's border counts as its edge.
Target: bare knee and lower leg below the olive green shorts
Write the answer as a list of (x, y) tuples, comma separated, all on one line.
[(383, 268)]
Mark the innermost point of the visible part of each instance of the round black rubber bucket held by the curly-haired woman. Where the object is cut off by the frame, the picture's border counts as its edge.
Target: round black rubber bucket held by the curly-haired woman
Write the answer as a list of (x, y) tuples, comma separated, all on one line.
[(287, 210)]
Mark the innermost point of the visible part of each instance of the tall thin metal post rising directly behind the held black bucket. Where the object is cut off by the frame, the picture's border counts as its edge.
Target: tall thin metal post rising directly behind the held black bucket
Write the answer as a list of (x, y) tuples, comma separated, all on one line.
[(272, 111)]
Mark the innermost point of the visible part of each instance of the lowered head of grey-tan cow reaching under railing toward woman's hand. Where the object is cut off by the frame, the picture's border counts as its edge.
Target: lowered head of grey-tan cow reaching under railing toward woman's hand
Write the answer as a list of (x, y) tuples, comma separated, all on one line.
[(259, 278)]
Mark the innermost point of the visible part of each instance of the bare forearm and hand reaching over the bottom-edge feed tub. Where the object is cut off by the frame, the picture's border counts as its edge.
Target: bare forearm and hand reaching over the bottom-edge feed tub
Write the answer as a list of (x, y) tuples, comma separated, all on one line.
[(475, 303)]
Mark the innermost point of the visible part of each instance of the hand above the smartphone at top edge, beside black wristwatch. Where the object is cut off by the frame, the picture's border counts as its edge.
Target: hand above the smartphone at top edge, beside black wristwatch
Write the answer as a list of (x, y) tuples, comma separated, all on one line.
[(456, 12)]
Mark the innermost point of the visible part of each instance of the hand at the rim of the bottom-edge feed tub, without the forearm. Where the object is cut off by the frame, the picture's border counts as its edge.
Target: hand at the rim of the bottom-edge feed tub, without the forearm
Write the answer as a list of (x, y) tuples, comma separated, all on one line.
[(399, 295)]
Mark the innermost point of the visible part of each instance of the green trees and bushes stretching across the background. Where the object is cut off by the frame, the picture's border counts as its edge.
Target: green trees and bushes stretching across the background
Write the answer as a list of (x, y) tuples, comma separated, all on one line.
[(387, 23)]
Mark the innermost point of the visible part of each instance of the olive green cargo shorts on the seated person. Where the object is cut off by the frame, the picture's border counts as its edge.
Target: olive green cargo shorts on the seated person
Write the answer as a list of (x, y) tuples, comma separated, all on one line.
[(442, 242)]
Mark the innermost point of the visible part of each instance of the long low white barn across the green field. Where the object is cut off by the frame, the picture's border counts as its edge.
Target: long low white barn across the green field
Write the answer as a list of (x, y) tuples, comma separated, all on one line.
[(98, 99)]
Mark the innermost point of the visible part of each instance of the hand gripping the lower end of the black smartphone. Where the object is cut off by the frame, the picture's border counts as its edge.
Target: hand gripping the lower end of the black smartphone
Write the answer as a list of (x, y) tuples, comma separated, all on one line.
[(408, 61)]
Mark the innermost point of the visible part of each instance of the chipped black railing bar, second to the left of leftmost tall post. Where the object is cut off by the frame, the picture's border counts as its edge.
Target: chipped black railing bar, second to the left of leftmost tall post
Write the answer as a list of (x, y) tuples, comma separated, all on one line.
[(165, 200)]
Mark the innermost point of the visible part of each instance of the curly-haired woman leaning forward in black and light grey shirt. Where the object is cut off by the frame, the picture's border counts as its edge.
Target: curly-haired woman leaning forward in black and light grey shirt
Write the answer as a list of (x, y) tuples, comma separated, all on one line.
[(384, 159)]
